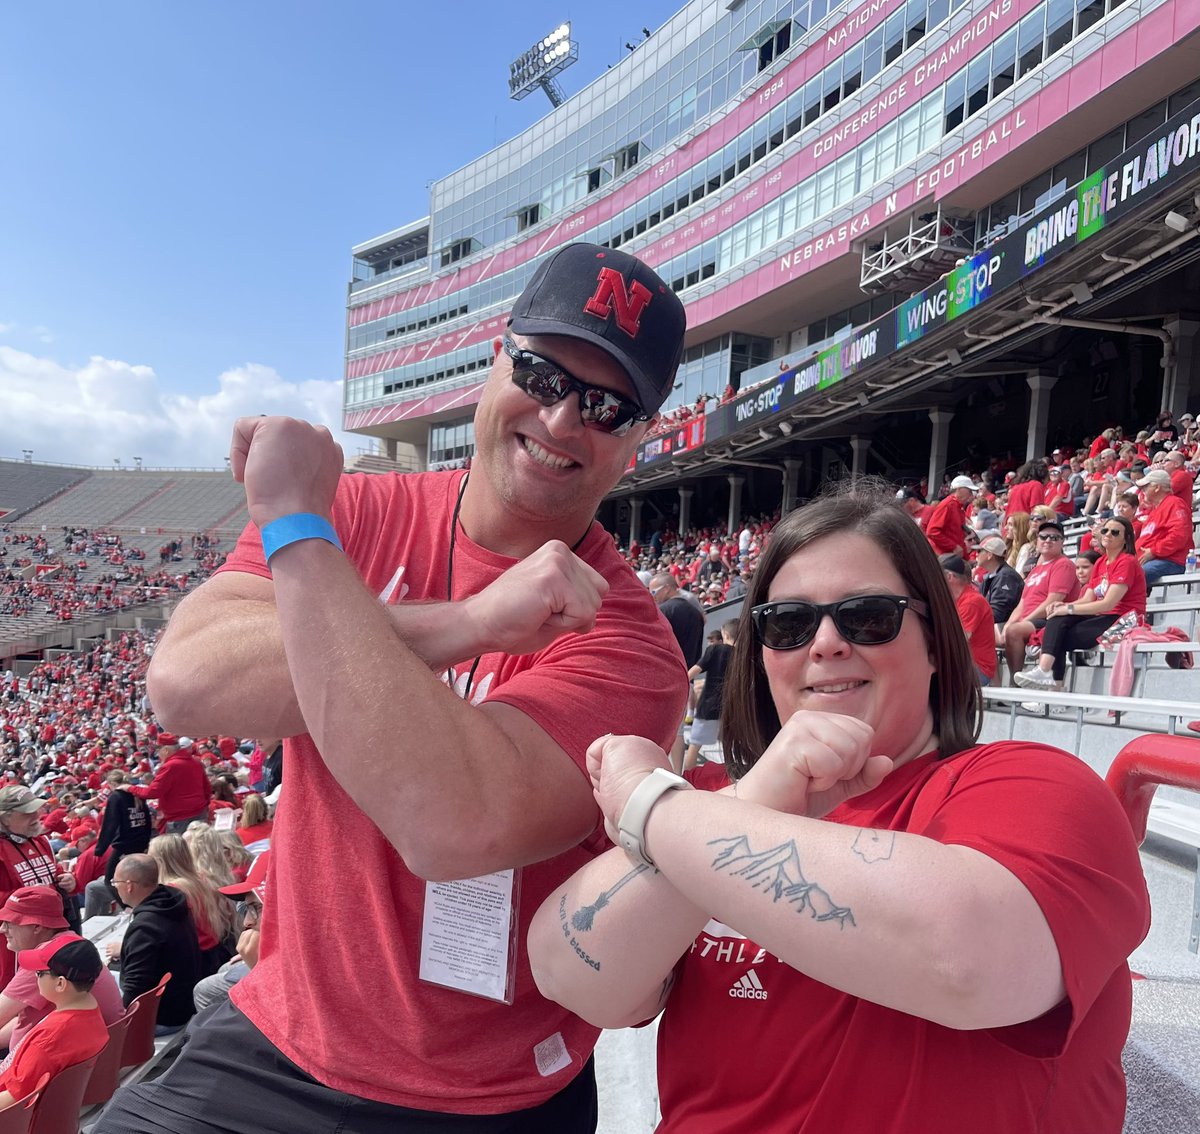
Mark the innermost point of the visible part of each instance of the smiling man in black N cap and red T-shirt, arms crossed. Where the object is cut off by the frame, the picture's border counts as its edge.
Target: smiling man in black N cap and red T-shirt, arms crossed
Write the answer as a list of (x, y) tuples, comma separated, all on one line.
[(441, 680)]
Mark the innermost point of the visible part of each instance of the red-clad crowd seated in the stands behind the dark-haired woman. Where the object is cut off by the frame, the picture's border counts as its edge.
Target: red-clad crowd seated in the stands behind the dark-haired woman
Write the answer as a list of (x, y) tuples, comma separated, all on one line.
[(1003, 544)]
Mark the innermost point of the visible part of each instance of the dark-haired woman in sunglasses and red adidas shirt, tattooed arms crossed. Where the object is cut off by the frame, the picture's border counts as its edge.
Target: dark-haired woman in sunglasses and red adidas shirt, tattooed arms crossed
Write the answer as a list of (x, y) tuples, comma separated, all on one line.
[(887, 925)]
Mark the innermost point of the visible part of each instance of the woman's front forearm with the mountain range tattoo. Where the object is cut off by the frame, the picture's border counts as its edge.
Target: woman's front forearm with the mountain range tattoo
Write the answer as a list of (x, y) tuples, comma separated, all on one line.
[(938, 932)]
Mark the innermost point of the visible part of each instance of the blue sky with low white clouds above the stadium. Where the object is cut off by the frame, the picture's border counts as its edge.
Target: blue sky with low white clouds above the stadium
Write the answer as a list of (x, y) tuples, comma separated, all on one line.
[(184, 183)]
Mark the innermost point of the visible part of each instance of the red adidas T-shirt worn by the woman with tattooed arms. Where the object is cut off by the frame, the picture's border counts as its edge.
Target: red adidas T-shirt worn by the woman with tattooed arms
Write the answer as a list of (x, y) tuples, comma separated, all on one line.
[(797, 1057)]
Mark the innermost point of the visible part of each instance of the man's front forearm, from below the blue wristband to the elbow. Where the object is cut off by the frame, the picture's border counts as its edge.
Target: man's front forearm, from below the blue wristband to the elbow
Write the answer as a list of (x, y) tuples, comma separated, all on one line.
[(443, 782)]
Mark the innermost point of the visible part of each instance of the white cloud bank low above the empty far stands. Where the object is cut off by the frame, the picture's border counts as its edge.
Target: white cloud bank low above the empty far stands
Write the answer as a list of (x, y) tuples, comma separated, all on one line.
[(109, 409)]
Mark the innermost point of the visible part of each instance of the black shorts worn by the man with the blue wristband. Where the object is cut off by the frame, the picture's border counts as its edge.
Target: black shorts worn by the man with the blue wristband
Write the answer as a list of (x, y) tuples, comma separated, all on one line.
[(231, 1081)]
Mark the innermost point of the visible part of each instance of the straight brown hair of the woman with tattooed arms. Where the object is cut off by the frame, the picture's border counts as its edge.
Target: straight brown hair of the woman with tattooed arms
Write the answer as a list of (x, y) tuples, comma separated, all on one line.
[(868, 508)]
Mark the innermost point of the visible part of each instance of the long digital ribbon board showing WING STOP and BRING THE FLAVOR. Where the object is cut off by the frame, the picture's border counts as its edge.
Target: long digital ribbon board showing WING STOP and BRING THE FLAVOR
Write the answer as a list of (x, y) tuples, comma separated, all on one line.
[(1124, 185)]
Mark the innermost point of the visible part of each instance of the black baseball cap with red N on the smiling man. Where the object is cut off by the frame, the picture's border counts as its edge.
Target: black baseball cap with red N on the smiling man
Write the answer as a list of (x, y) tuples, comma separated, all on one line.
[(614, 302)]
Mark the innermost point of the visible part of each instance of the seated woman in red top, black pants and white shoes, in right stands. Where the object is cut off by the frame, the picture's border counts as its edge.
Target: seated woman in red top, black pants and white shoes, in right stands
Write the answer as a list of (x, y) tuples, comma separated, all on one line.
[(1117, 589)]
